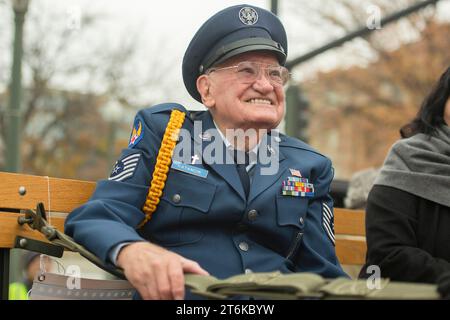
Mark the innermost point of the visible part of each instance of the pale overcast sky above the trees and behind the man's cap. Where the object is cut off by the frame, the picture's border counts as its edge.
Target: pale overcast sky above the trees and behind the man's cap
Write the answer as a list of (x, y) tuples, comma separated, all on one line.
[(167, 26)]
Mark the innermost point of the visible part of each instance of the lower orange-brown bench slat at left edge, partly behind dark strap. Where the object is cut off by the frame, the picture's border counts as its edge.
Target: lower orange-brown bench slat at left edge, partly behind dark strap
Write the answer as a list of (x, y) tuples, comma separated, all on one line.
[(10, 229)]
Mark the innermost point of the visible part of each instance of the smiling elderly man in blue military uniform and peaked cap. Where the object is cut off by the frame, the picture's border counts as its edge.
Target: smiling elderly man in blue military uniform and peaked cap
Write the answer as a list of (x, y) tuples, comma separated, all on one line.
[(225, 203)]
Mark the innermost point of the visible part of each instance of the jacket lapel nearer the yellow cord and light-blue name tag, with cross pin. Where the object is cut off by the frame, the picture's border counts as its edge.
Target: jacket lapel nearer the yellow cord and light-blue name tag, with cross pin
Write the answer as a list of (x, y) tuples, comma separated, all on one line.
[(227, 170)]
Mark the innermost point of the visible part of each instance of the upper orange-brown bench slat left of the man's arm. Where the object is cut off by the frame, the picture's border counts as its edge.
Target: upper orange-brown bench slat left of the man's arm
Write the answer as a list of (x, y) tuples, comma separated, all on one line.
[(65, 194)]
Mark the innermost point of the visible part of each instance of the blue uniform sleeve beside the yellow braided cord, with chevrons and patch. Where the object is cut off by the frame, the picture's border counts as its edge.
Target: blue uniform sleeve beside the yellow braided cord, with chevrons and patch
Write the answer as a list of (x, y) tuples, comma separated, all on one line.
[(113, 212)]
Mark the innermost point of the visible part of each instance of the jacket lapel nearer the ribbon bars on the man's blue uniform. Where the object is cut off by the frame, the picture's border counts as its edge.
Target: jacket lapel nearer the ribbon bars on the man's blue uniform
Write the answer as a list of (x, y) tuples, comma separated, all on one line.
[(262, 182)]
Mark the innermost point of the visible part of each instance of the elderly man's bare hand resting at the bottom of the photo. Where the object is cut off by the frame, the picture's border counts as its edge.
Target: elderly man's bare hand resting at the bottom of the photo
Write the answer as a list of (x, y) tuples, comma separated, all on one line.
[(156, 272)]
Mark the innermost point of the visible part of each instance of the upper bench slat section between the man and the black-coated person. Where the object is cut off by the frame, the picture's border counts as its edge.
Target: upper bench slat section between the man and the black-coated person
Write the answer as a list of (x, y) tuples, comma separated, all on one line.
[(349, 222)]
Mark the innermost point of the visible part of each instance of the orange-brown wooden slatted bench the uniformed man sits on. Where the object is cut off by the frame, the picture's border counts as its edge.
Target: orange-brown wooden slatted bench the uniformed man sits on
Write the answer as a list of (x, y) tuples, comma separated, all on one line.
[(60, 196)]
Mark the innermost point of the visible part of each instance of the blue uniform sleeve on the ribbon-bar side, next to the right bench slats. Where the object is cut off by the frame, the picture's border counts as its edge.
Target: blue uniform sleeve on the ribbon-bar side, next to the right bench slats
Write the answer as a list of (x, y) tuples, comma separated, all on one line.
[(318, 252)]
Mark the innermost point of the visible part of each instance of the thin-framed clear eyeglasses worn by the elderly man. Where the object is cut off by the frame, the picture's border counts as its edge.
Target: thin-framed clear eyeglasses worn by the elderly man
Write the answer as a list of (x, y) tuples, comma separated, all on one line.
[(249, 72)]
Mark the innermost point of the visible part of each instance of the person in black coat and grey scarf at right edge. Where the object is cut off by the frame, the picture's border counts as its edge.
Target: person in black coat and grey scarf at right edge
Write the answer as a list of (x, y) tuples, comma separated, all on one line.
[(408, 210)]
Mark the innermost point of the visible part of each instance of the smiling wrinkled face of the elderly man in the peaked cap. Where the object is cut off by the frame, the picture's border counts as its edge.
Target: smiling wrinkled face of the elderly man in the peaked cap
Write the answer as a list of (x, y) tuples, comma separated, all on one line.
[(236, 104)]
